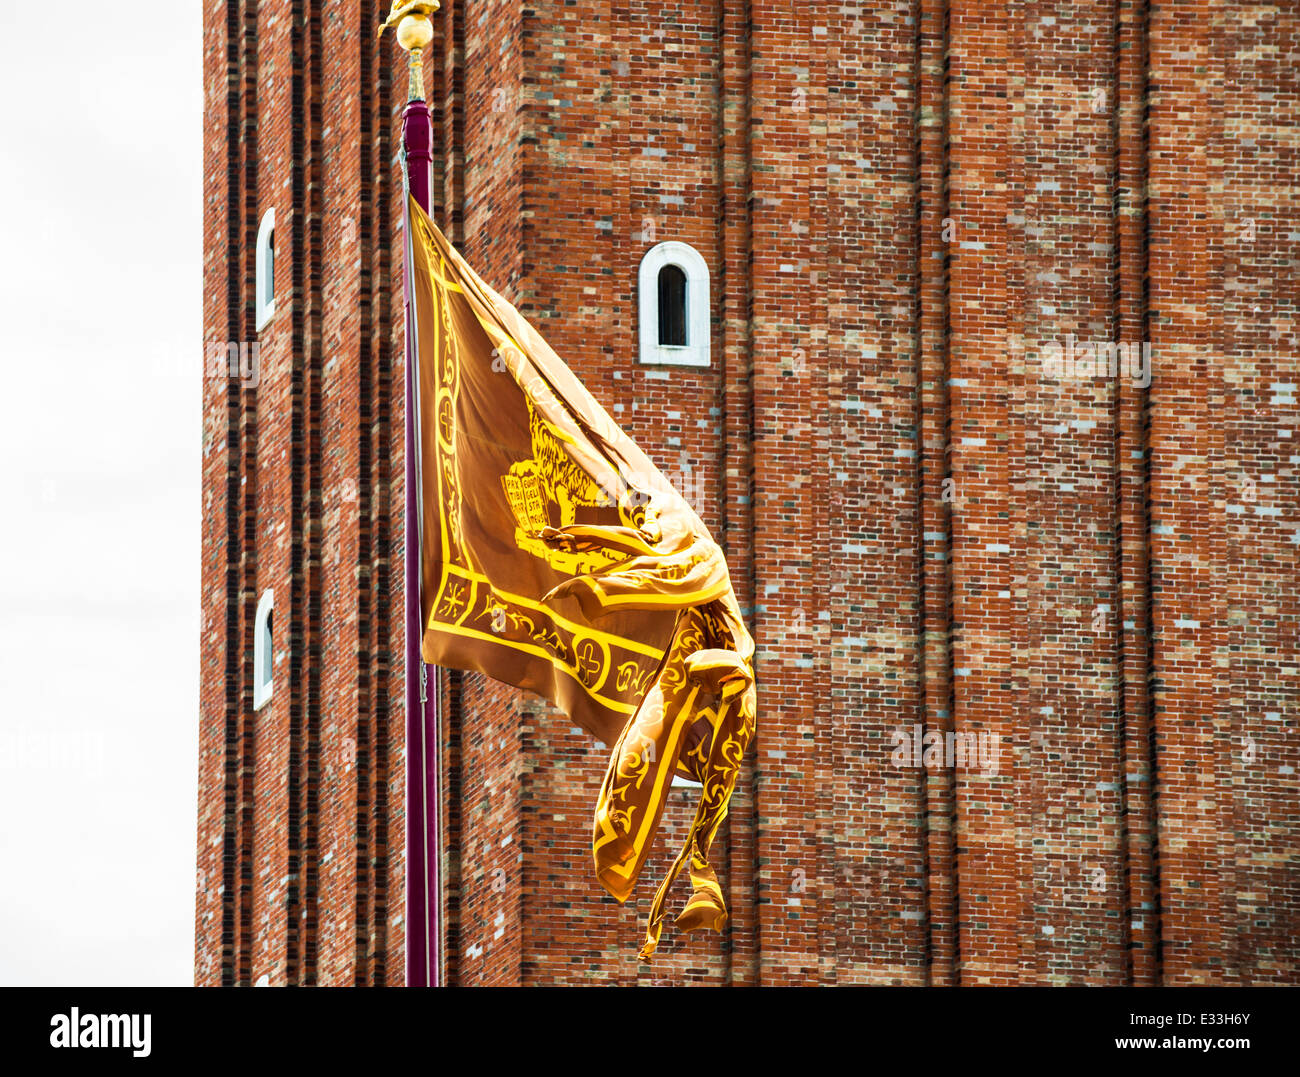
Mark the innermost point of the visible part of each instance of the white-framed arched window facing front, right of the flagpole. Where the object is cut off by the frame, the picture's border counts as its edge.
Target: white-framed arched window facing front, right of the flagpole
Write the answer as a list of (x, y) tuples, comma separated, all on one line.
[(673, 293)]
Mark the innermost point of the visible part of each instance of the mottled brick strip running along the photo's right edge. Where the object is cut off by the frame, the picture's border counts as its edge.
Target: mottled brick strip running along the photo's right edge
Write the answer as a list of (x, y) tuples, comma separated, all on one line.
[(1259, 319)]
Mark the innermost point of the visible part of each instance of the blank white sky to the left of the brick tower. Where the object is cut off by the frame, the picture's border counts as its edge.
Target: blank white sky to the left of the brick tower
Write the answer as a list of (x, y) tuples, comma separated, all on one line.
[(101, 347)]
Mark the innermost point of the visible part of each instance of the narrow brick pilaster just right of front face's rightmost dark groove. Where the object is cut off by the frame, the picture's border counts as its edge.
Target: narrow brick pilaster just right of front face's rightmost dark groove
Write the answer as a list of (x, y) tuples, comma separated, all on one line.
[(1188, 500)]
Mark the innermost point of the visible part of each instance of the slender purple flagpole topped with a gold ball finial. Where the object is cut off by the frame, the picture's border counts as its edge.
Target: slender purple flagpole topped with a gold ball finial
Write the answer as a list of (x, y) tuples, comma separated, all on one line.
[(423, 686)]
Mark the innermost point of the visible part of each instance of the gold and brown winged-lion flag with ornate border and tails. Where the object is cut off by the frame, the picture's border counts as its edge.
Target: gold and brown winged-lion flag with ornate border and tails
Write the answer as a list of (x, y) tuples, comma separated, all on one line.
[(556, 557)]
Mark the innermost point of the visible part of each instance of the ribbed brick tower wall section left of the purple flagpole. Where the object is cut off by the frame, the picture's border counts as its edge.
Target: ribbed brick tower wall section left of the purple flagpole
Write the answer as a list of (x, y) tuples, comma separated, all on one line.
[(301, 876)]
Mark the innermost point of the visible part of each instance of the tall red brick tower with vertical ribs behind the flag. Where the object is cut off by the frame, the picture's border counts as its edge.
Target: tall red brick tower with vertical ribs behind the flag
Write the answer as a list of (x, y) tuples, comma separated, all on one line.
[(924, 223)]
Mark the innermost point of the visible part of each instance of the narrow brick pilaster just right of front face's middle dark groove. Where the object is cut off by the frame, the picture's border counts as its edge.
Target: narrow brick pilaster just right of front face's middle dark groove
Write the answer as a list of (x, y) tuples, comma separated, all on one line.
[(982, 430)]
